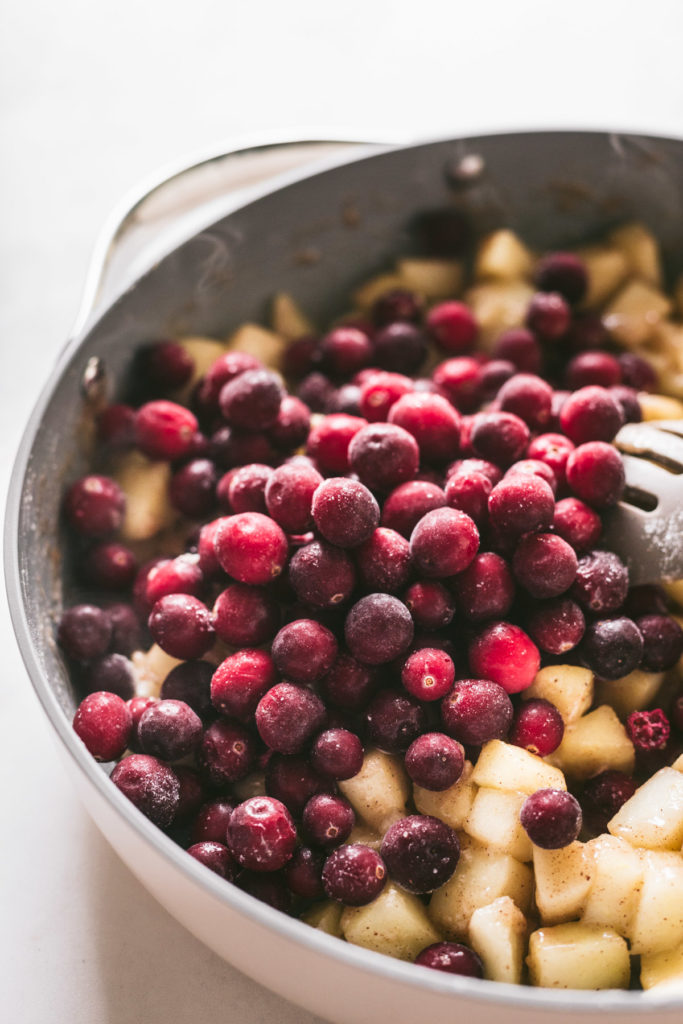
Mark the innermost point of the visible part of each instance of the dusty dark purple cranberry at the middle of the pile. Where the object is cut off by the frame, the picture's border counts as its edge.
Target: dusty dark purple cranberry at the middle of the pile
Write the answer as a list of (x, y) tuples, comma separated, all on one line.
[(378, 629)]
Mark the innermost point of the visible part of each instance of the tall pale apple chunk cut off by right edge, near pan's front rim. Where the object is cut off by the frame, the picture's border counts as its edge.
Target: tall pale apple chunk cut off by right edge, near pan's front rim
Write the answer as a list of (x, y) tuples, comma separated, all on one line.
[(658, 922)]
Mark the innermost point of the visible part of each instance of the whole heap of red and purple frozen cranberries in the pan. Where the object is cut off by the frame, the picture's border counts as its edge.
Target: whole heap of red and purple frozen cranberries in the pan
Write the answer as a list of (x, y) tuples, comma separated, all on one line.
[(389, 559)]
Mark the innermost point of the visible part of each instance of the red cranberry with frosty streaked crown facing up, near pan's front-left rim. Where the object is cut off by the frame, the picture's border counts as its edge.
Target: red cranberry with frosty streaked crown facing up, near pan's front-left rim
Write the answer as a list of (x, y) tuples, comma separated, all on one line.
[(262, 835)]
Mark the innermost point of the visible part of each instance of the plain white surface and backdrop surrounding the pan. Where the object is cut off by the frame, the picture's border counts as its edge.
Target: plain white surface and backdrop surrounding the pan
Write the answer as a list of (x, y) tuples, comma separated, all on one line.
[(97, 95)]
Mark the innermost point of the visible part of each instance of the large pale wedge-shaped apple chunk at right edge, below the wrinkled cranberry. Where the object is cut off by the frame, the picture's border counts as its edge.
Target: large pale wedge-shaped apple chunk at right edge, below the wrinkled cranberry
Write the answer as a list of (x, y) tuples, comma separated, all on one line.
[(653, 819)]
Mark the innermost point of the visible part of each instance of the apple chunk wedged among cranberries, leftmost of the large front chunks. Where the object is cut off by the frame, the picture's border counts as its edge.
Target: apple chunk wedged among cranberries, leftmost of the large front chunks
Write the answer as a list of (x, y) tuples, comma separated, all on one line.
[(379, 792)]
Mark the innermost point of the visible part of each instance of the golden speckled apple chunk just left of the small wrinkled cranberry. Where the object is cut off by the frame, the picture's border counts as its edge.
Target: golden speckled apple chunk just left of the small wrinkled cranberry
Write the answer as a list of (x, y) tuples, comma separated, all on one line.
[(593, 744)]
